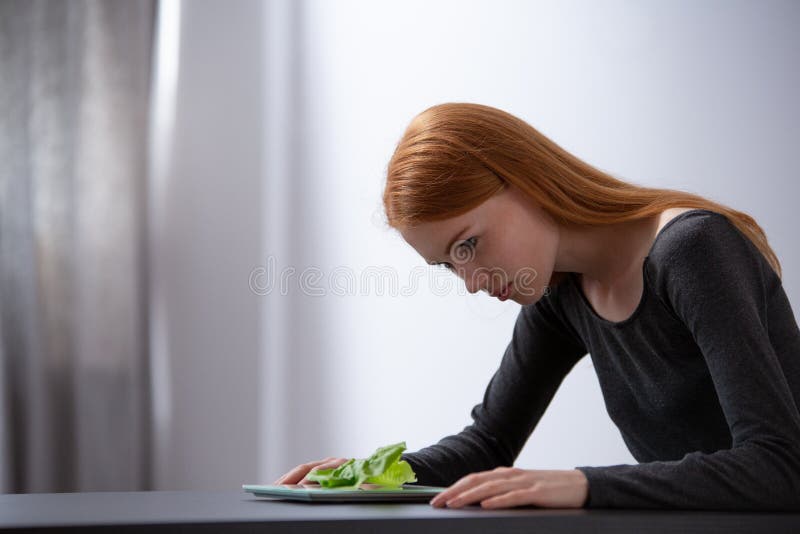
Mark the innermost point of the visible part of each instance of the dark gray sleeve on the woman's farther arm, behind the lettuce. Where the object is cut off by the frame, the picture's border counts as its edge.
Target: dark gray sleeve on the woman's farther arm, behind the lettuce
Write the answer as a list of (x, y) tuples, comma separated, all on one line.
[(538, 357)]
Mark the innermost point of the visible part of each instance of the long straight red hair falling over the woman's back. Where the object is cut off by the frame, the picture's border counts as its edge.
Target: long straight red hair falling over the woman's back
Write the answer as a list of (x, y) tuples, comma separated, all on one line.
[(454, 156)]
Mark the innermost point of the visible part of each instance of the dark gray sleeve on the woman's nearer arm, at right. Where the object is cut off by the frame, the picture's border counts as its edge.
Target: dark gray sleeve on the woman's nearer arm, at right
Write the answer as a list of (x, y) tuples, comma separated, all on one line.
[(718, 283)]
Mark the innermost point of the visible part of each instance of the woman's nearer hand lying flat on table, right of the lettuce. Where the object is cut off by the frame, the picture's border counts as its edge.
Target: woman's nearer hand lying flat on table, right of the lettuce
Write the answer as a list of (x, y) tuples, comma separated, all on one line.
[(506, 487)]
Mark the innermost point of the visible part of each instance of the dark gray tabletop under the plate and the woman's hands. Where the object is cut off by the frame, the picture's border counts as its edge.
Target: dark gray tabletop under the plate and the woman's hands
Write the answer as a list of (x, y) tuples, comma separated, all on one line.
[(237, 511)]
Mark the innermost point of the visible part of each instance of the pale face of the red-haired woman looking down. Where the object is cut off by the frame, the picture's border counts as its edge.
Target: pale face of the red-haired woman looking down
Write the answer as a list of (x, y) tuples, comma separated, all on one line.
[(506, 246)]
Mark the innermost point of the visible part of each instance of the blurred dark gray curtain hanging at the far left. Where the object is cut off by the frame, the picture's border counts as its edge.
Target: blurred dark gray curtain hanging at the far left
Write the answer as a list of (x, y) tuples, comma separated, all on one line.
[(74, 89)]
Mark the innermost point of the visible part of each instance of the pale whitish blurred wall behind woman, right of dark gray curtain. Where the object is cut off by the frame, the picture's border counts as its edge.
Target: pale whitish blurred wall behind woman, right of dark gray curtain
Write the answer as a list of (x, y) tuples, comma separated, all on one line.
[(274, 125)]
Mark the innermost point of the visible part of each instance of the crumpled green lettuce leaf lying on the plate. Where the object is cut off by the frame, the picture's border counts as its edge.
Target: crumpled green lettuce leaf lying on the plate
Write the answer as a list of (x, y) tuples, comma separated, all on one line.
[(384, 467)]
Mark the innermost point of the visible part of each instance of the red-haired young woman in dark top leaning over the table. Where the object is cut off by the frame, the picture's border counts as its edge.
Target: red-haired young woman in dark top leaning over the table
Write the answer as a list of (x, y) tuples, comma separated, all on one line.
[(677, 299)]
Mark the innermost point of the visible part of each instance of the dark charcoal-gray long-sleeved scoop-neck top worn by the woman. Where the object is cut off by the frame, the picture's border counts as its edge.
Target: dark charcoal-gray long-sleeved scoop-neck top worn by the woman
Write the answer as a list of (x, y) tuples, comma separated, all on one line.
[(702, 380)]
